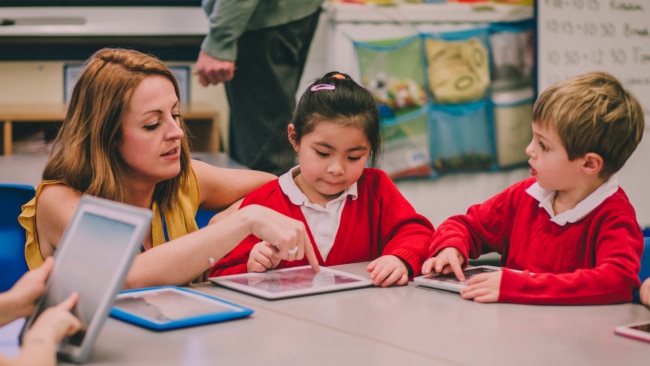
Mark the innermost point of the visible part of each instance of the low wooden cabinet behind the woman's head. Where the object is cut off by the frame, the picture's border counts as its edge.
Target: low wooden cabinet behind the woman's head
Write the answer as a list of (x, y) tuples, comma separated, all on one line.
[(201, 119)]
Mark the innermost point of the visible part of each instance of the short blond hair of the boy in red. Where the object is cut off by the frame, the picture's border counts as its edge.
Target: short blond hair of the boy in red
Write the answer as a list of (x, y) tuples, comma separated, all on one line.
[(592, 112)]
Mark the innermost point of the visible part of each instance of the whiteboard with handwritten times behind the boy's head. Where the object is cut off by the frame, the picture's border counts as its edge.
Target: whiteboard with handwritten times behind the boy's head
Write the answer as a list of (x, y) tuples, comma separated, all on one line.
[(576, 36)]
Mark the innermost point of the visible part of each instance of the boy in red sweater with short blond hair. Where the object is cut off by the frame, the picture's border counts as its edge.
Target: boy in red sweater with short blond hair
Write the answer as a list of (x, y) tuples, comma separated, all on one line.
[(569, 234)]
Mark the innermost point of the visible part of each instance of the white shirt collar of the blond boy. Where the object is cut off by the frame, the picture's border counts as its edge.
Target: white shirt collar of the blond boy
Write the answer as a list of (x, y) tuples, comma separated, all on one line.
[(582, 209)]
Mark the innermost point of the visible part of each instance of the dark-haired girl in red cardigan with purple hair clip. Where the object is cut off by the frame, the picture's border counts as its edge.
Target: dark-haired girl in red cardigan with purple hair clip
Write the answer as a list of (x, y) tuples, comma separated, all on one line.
[(353, 213)]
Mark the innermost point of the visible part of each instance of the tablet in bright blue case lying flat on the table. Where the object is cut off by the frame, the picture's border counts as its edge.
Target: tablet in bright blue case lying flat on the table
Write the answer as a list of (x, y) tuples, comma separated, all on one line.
[(172, 307)]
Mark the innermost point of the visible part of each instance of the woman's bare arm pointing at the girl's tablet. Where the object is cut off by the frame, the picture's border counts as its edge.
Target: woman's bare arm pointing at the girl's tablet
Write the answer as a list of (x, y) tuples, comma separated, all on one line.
[(185, 258)]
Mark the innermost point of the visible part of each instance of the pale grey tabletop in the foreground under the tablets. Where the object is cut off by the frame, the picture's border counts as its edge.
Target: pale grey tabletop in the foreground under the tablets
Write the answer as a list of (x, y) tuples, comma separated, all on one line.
[(405, 325)]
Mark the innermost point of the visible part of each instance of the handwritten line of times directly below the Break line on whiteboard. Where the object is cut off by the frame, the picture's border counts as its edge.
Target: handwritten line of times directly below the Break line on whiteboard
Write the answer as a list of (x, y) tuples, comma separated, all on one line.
[(617, 56)]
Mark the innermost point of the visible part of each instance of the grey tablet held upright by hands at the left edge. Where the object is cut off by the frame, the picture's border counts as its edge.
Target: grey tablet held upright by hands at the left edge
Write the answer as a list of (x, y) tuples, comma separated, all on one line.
[(92, 259)]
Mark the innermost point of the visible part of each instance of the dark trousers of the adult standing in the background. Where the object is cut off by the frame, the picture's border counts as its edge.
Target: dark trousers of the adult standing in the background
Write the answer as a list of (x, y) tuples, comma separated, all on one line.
[(262, 95)]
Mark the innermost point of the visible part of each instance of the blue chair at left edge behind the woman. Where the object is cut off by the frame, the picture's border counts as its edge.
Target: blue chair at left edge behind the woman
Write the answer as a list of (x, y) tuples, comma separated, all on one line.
[(12, 235)]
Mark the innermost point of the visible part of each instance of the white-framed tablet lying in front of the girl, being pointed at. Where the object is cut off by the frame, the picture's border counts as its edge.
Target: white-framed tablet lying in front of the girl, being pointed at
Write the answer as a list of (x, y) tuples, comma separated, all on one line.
[(291, 282)]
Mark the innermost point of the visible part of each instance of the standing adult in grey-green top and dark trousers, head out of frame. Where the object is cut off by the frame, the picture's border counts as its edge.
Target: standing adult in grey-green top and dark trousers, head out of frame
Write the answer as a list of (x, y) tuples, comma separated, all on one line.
[(258, 48)]
